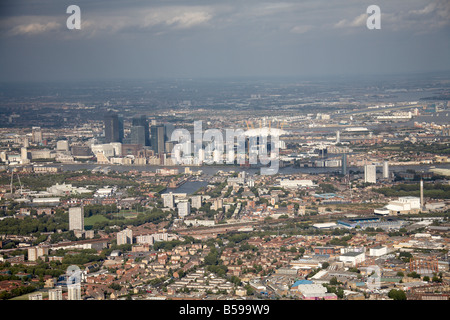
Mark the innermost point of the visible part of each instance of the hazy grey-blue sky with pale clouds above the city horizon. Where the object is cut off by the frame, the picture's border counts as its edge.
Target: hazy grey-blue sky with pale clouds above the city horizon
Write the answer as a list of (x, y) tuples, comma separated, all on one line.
[(146, 39)]
